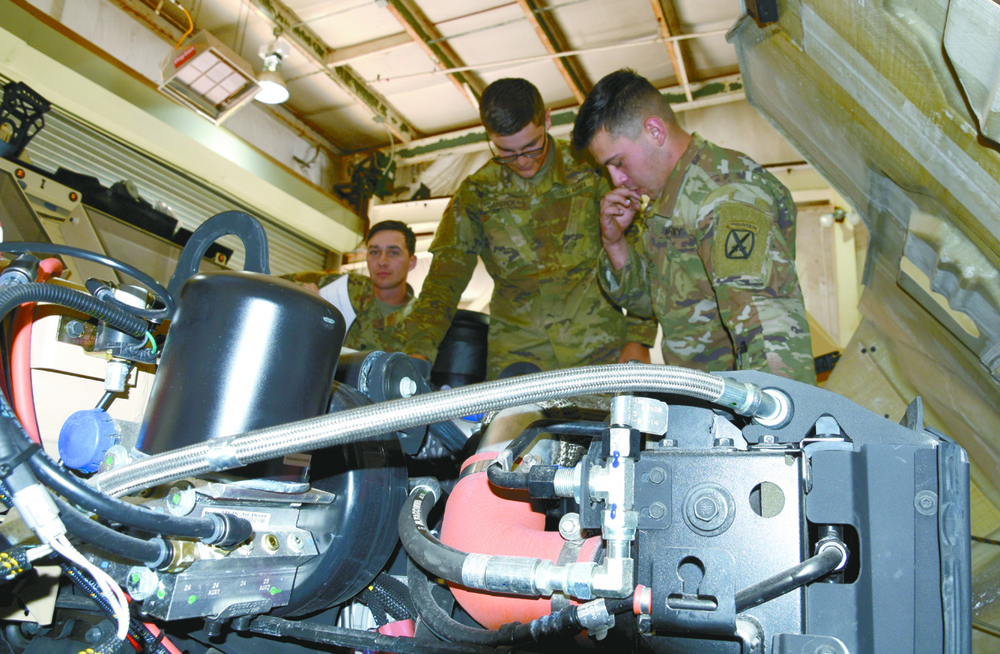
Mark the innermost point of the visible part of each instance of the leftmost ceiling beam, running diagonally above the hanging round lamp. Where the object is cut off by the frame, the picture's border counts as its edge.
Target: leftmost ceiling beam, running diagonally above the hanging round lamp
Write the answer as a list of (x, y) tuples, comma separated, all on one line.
[(344, 76)]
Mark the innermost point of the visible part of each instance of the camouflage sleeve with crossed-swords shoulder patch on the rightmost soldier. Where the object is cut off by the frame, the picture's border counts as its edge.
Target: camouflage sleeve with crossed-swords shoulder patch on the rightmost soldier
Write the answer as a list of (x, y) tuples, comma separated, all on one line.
[(750, 262)]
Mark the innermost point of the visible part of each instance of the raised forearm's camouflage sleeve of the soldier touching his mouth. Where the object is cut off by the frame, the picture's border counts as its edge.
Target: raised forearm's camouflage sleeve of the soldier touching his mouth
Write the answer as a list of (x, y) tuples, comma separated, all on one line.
[(629, 287)]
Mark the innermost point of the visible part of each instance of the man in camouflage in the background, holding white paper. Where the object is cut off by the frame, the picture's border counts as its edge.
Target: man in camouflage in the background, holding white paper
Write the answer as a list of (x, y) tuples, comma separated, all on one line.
[(374, 307)]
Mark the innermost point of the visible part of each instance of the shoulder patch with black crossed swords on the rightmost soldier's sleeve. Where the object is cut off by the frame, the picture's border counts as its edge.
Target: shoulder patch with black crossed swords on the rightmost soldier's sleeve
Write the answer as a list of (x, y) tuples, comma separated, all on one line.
[(741, 240)]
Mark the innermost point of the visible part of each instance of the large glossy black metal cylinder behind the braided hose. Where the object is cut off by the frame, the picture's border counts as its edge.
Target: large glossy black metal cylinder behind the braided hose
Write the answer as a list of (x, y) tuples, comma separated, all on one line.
[(243, 351)]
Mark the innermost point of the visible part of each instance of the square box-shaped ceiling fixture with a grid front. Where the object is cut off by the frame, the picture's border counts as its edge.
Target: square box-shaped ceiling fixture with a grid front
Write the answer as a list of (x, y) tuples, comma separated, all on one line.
[(208, 77)]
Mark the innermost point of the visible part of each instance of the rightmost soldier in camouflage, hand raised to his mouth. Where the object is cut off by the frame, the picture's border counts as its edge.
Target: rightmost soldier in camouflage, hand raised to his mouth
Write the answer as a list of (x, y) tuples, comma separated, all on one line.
[(713, 255)]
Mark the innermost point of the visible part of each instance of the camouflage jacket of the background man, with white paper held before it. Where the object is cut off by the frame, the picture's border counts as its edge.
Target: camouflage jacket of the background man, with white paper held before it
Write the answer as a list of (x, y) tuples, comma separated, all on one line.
[(371, 328)]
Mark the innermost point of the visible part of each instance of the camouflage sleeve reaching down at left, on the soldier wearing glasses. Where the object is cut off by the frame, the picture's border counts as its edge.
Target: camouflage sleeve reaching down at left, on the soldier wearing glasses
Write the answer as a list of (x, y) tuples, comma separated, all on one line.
[(457, 244)]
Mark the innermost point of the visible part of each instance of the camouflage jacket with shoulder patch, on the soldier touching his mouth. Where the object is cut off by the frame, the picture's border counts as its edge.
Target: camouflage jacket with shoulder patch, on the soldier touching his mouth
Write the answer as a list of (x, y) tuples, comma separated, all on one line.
[(714, 260)]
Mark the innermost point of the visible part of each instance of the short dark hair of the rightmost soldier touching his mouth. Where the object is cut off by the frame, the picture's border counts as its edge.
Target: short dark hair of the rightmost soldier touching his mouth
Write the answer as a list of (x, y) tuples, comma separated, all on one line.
[(618, 104)]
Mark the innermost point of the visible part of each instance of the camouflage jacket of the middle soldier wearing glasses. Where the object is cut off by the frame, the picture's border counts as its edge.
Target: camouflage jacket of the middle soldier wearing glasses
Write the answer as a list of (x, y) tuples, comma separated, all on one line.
[(539, 239)]
